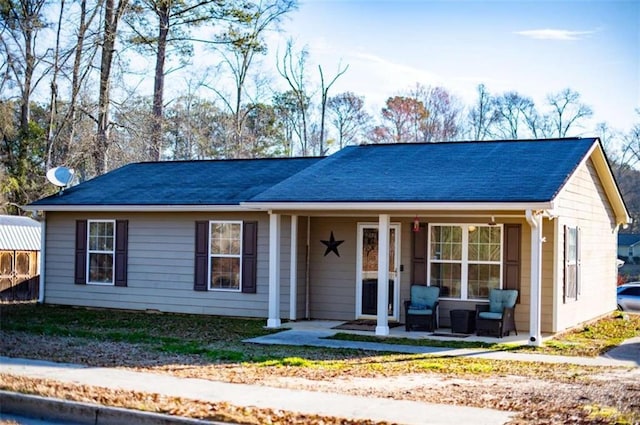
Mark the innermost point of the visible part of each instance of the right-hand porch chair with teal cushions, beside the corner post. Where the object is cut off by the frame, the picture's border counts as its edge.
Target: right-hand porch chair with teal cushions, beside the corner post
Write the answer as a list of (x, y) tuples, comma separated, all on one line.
[(498, 317)]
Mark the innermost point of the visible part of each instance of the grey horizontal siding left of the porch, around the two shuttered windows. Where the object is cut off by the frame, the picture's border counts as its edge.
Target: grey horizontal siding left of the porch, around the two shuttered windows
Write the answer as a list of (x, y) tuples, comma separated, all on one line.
[(160, 266)]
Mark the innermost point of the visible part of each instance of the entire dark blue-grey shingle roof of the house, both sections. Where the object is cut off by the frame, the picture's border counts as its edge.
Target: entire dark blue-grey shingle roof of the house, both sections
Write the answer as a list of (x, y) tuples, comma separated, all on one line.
[(491, 171)]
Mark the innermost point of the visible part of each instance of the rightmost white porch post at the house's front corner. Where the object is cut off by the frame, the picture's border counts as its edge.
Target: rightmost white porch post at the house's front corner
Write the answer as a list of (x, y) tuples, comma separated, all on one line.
[(535, 221)]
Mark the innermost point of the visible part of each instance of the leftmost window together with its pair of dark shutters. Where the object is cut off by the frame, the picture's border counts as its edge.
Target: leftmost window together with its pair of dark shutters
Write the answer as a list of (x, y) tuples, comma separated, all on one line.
[(101, 252)]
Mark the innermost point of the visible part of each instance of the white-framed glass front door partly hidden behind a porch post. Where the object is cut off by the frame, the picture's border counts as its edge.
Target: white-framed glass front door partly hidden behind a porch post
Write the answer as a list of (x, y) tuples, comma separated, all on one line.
[(367, 272)]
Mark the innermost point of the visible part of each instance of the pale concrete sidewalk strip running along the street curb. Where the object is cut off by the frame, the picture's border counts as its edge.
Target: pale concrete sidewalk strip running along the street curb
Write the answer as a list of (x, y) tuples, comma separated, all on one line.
[(310, 402)]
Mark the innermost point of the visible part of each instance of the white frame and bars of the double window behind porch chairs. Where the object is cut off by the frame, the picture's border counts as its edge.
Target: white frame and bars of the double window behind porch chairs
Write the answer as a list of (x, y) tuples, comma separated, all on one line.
[(464, 261)]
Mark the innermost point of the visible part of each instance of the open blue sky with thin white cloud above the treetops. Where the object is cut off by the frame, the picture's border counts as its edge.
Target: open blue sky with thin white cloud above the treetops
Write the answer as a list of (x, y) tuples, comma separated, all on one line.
[(534, 48)]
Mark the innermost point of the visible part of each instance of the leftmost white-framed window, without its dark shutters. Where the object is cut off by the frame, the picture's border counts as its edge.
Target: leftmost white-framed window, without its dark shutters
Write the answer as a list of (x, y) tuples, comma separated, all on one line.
[(101, 251)]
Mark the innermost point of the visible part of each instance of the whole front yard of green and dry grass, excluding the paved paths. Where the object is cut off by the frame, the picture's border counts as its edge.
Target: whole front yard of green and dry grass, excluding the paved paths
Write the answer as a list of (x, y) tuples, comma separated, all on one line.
[(211, 347)]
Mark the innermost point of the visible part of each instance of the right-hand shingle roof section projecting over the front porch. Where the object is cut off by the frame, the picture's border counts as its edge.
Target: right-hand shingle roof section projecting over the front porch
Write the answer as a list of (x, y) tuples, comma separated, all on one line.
[(491, 171)]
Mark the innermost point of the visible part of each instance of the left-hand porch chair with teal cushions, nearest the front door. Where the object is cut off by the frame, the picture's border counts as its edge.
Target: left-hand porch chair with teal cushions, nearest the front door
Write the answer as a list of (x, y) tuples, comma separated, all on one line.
[(421, 311)]
